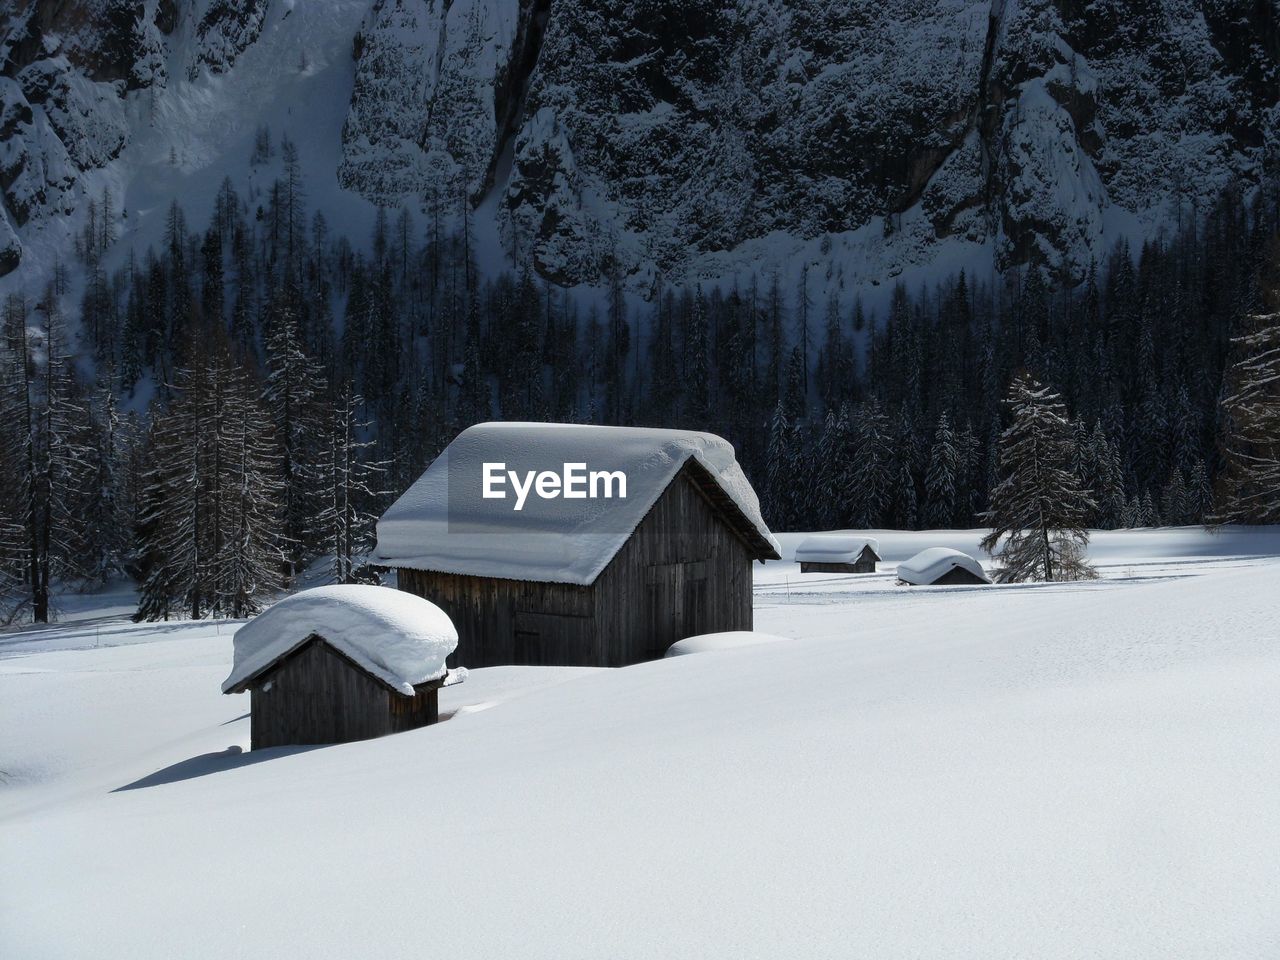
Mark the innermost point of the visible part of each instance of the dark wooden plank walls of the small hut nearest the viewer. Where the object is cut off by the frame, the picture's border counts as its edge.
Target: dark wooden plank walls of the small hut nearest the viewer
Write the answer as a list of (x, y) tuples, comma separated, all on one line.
[(317, 696)]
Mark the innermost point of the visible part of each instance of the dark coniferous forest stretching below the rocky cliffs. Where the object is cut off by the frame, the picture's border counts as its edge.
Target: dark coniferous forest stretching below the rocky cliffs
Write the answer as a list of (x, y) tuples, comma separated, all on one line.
[(213, 415)]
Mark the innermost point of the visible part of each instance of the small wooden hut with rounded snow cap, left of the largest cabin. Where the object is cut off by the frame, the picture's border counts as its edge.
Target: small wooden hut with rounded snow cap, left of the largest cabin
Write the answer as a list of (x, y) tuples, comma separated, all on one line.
[(340, 664)]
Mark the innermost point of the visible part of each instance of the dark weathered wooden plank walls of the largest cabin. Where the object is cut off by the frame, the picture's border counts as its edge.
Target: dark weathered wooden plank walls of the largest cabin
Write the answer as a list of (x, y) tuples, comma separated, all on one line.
[(684, 572)]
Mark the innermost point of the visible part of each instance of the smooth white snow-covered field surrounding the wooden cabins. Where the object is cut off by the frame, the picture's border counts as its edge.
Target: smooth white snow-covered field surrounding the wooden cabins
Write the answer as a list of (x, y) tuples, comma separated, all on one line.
[(1045, 771)]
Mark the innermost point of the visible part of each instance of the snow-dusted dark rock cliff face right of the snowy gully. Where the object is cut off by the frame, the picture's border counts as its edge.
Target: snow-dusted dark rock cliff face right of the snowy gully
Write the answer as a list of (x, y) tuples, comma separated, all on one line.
[(659, 132)]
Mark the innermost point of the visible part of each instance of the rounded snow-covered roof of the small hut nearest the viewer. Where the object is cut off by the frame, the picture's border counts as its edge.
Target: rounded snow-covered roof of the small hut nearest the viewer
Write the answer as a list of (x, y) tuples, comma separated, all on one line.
[(399, 638)]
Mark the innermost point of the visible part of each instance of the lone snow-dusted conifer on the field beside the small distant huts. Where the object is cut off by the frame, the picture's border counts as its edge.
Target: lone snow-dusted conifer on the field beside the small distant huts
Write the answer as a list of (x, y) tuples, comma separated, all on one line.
[(1039, 509)]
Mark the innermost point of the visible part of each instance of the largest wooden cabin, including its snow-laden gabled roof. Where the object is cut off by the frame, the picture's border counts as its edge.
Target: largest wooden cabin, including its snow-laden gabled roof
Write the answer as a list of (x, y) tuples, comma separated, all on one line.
[(591, 582)]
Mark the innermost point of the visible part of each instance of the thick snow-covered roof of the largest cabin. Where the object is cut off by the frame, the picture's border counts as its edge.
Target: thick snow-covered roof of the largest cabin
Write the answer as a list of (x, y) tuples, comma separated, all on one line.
[(445, 524)]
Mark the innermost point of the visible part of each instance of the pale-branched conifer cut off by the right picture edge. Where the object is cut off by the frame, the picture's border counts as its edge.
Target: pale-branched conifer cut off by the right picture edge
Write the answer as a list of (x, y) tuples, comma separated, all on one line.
[(1251, 488)]
